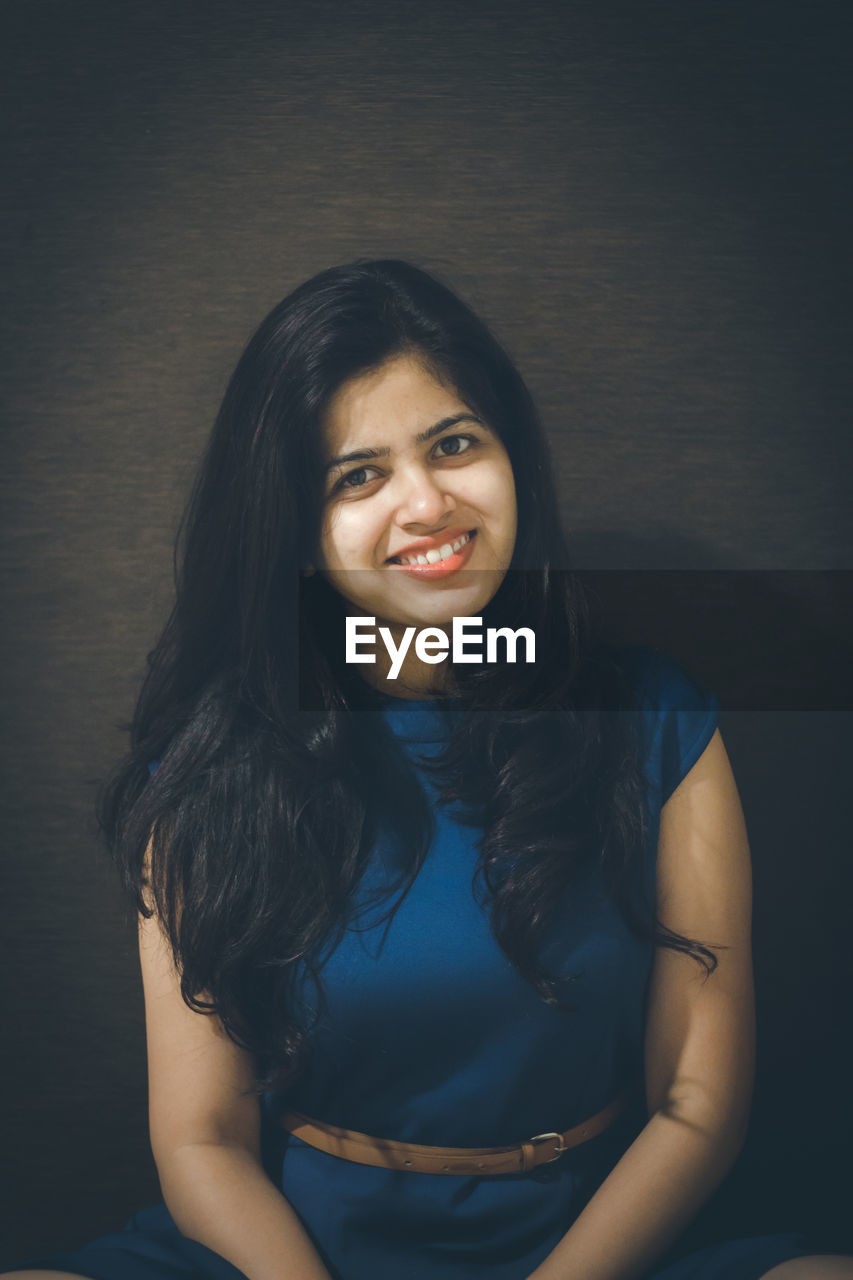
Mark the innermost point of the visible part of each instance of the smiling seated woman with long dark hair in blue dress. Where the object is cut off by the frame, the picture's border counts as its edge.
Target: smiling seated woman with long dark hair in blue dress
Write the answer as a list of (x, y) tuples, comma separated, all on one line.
[(471, 938)]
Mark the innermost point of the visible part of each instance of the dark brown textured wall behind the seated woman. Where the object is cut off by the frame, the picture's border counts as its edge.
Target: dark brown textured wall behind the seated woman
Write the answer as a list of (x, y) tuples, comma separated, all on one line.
[(651, 204)]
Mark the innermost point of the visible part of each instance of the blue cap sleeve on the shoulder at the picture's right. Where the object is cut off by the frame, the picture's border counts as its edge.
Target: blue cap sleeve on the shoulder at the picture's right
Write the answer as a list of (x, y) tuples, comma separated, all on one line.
[(679, 717)]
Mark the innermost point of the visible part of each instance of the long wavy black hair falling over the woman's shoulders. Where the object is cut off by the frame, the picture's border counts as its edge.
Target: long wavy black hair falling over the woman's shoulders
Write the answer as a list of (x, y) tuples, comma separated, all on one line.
[(253, 834)]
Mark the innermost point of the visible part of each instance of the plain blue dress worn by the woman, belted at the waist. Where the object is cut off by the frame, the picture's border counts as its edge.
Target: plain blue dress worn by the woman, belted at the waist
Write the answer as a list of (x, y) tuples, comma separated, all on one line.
[(430, 1036)]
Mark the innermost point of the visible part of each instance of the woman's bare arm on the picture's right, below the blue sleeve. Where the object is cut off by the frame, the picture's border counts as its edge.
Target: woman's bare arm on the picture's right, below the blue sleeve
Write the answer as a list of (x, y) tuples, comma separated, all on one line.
[(700, 1041)]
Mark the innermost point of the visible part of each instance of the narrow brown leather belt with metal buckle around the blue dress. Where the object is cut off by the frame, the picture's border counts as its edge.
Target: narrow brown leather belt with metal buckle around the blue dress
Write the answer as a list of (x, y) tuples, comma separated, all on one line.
[(386, 1154)]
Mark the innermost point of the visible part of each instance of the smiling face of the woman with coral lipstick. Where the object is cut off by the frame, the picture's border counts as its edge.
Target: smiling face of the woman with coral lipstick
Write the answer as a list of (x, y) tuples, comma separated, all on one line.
[(413, 473)]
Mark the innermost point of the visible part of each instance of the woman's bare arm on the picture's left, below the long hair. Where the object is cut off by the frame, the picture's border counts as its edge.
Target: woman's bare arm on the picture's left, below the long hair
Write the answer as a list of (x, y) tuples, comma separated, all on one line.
[(206, 1133)]
